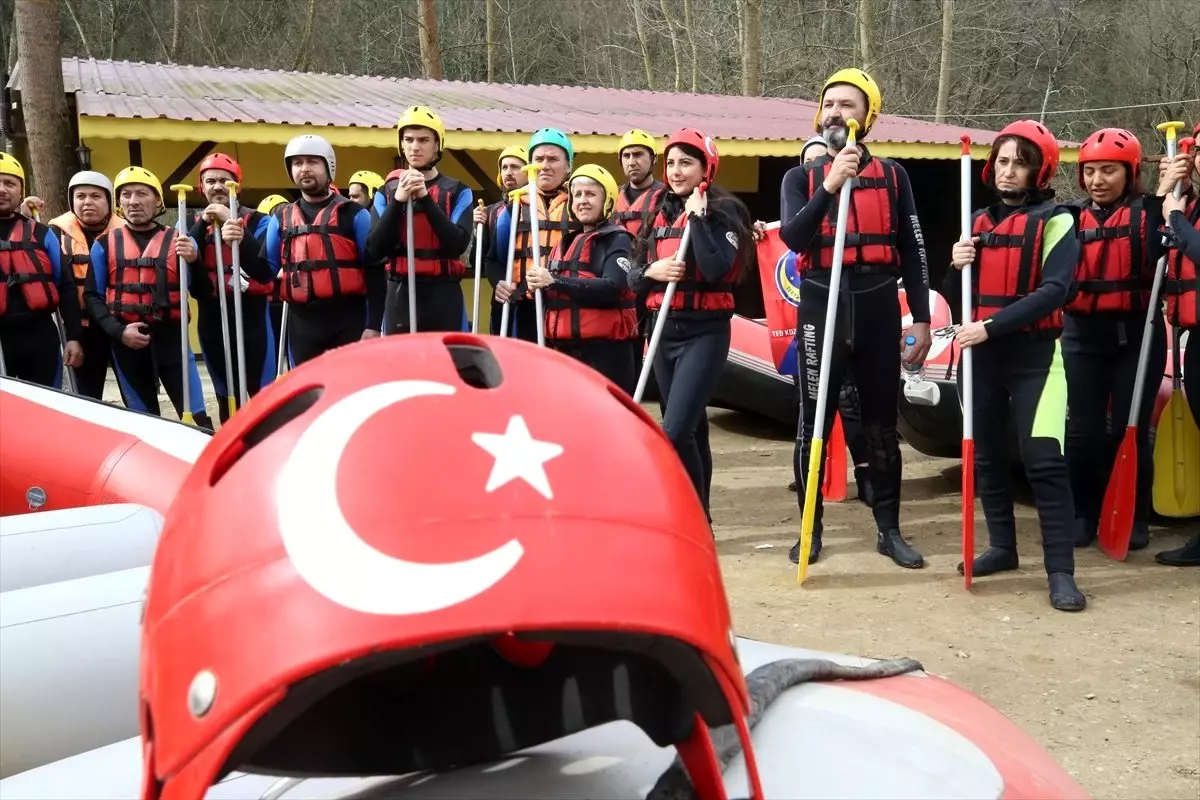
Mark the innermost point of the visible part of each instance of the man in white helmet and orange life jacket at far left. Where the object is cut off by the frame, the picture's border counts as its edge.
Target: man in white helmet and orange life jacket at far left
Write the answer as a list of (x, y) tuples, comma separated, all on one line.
[(91, 195)]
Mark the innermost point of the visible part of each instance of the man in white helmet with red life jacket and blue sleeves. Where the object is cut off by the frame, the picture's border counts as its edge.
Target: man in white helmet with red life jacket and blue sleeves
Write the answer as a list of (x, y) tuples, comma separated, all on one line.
[(317, 245)]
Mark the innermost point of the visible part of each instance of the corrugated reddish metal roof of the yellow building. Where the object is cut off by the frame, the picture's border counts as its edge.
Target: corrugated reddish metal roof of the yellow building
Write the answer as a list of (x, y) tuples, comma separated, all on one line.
[(139, 91)]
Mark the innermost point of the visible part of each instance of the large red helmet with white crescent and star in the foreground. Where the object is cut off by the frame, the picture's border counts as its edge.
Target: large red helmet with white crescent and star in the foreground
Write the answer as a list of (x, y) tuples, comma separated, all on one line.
[(311, 615)]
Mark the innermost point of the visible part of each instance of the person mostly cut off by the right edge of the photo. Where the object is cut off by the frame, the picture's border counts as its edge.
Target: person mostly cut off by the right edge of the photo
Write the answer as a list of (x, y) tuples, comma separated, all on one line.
[(1183, 293)]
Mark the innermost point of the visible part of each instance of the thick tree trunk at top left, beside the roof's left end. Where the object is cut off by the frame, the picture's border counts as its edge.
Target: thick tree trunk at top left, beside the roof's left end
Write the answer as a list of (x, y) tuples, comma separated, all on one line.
[(44, 103)]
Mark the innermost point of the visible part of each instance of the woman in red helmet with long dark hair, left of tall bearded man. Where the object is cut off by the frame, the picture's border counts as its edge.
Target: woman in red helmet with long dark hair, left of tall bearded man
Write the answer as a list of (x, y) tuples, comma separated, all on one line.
[(695, 339)]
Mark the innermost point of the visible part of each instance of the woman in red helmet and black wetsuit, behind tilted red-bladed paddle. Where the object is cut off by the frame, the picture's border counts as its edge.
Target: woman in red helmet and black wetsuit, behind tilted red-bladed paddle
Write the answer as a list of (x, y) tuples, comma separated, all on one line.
[(1105, 323)]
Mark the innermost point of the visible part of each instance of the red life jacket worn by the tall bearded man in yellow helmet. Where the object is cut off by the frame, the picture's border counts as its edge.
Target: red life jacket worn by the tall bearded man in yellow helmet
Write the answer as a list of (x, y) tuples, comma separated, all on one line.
[(871, 230)]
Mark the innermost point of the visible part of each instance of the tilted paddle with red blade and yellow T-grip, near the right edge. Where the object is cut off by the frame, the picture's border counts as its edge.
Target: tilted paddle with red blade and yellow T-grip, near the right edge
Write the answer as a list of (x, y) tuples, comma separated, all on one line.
[(1121, 496)]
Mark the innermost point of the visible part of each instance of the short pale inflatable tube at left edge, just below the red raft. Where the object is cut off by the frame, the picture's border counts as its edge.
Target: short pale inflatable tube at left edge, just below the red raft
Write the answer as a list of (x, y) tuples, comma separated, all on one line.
[(69, 544)]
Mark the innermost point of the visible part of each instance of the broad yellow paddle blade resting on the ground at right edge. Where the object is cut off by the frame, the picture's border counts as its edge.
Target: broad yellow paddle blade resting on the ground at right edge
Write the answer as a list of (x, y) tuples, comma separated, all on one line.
[(1177, 461)]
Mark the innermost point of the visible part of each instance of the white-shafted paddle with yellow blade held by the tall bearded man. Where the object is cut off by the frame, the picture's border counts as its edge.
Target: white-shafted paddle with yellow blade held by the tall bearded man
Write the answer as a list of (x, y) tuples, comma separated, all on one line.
[(818, 447)]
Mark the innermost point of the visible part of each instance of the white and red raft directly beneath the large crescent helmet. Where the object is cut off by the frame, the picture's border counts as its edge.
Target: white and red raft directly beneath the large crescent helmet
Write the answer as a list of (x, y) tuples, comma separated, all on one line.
[(818, 741)]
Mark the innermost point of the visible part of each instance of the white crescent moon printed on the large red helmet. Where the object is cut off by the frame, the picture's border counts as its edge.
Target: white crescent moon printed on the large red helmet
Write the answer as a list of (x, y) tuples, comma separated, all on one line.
[(327, 552)]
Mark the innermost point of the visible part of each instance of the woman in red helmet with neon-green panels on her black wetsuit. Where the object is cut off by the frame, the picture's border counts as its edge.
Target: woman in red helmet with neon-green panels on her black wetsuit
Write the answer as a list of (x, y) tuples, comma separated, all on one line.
[(1024, 251)]
